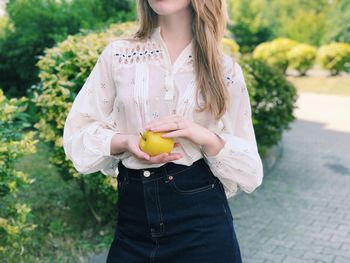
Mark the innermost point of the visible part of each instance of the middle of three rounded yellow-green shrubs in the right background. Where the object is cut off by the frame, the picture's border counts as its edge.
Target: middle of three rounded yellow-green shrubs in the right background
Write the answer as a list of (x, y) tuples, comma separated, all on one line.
[(302, 57)]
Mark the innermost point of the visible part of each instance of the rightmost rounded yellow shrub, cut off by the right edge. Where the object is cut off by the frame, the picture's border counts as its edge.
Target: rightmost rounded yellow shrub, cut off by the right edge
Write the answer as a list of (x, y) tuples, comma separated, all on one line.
[(335, 57)]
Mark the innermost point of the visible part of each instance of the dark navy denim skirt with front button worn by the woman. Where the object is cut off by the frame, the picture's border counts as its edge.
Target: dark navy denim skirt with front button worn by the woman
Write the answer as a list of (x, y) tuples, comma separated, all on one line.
[(173, 214)]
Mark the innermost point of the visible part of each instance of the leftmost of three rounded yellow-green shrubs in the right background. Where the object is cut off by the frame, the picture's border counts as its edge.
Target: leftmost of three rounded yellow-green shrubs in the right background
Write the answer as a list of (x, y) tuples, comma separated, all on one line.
[(275, 53)]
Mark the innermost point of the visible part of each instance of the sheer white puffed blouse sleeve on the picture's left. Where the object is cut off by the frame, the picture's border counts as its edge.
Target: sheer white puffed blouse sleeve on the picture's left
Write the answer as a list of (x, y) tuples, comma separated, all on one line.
[(88, 130)]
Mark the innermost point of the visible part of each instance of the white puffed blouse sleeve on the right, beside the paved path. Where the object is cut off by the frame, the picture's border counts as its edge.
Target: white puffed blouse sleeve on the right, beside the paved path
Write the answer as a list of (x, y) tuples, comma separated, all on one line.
[(238, 163)]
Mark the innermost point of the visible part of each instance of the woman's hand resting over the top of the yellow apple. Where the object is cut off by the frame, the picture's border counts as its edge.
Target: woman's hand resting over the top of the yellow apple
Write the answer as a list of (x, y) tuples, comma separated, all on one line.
[(178, 126)]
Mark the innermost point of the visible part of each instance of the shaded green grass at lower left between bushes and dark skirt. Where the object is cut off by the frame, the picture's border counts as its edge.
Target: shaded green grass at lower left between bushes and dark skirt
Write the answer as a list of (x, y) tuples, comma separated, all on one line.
[(67, 231)]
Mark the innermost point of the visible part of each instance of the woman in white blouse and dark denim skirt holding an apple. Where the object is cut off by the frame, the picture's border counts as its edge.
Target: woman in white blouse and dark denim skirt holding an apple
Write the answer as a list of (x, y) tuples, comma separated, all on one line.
[(171, 77)]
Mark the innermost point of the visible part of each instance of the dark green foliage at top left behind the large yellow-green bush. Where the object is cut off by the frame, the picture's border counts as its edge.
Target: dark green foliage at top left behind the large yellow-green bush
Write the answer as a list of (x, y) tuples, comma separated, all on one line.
[(37, 24)]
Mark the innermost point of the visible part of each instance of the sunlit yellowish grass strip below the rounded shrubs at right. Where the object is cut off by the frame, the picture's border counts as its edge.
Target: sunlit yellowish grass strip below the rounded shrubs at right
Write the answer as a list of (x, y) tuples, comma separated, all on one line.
[(337, 85)]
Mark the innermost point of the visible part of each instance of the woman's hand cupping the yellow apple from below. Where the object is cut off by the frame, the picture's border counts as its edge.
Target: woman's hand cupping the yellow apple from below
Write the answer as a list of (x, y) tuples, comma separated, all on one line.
[(134, 148)]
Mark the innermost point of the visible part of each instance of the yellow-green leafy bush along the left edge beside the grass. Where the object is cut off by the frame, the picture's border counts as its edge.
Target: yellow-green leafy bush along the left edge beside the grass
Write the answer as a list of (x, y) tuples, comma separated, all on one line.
[(14, 143)]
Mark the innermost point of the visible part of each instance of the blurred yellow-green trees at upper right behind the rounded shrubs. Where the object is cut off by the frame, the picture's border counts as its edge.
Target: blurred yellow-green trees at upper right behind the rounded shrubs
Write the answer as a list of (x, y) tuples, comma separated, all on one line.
[(311, 22)]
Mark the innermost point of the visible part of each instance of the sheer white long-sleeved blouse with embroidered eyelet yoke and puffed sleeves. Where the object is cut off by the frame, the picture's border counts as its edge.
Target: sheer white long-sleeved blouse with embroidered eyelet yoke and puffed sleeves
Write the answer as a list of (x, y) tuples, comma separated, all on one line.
[(134, 82)]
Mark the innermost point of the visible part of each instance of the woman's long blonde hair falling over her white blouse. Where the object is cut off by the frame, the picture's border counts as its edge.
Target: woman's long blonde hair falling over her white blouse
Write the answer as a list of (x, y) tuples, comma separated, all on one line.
[(209, 18)]
